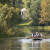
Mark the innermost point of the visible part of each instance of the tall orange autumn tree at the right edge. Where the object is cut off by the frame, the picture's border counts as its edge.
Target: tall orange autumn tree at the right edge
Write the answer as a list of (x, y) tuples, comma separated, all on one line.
[(44, 19)]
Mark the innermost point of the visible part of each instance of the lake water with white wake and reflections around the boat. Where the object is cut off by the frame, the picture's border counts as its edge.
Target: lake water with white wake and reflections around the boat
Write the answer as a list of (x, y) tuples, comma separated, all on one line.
[(21, 43)]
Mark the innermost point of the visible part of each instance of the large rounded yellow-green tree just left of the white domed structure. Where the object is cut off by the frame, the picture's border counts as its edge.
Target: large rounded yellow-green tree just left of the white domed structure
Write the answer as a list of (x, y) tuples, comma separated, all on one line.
[(11, 15)]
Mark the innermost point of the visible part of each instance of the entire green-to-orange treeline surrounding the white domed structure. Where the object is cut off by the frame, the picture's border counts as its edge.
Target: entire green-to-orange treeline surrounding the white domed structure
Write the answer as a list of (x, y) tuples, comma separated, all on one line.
[(10, 13)]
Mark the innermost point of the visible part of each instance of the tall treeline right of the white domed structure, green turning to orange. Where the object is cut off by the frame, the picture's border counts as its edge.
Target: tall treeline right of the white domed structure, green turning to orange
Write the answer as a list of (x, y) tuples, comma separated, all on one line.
[(38, 10)]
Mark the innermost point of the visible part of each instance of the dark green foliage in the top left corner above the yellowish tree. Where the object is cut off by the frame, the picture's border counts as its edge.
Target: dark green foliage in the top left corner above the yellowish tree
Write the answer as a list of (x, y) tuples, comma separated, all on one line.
[(14, 3)]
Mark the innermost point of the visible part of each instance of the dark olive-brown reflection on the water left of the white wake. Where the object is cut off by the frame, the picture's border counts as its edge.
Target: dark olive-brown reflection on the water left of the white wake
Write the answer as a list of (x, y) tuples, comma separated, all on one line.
[(9, 44)]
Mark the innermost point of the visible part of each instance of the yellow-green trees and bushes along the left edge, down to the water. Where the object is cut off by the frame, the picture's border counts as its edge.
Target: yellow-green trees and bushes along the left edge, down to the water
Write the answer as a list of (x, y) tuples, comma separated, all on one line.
[(9, 17)]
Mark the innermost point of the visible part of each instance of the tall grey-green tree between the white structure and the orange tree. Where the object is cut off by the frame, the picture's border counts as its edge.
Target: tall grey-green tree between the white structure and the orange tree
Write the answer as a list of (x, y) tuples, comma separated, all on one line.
[(34, 11)]
